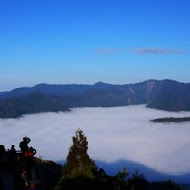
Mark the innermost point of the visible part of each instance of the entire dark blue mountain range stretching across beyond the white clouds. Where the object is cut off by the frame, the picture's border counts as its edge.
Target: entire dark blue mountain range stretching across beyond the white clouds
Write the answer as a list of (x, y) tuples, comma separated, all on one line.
[(165, 95)]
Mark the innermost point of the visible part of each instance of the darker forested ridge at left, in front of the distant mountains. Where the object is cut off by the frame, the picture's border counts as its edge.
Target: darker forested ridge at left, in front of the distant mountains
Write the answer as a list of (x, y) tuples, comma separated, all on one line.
[(33, 103)]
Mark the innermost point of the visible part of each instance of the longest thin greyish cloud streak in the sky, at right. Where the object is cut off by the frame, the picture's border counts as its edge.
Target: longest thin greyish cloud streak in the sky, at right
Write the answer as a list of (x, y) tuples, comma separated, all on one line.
[(155, 50)]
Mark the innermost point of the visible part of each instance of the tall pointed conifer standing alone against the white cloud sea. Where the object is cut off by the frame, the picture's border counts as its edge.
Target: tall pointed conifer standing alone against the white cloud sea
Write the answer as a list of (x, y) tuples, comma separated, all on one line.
[(79, 169)]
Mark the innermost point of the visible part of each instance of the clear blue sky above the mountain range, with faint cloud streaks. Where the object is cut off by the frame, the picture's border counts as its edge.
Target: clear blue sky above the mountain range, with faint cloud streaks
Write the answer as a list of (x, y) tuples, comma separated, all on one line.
[(86, 41)]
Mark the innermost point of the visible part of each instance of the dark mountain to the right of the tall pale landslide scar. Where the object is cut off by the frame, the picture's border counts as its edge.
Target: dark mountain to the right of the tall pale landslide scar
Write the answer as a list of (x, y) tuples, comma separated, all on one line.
[(170, 95)]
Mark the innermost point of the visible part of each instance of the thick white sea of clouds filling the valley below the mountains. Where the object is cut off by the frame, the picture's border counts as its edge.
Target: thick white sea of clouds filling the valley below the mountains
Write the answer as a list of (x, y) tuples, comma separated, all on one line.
[(113, 134)]
